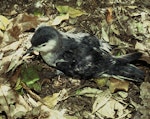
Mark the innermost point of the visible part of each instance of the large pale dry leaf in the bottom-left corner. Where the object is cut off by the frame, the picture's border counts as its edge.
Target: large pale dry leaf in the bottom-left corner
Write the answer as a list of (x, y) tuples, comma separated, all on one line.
[(11, 103)]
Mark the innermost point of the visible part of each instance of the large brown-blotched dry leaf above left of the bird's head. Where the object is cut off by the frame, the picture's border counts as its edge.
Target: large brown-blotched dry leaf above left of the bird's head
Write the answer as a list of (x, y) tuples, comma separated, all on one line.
[(19, 24)]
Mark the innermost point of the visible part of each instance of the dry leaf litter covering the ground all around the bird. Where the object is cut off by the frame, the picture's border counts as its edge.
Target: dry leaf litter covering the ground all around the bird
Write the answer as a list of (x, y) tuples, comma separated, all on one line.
[(61, 97)]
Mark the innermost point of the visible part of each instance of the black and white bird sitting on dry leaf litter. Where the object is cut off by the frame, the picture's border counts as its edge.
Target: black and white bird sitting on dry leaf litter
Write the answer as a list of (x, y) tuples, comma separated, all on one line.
[(82, 55)]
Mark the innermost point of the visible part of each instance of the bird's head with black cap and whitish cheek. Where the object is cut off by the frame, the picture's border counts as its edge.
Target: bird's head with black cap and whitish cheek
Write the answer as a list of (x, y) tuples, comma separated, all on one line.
[(45, 39)]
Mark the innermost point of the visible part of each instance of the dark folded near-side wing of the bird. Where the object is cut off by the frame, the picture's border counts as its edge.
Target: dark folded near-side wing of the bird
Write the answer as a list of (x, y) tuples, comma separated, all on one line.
[(84, 59)]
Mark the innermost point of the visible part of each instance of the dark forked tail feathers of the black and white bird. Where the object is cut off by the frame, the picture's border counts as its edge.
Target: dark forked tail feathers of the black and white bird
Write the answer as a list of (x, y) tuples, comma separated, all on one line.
[(124, 70)]
